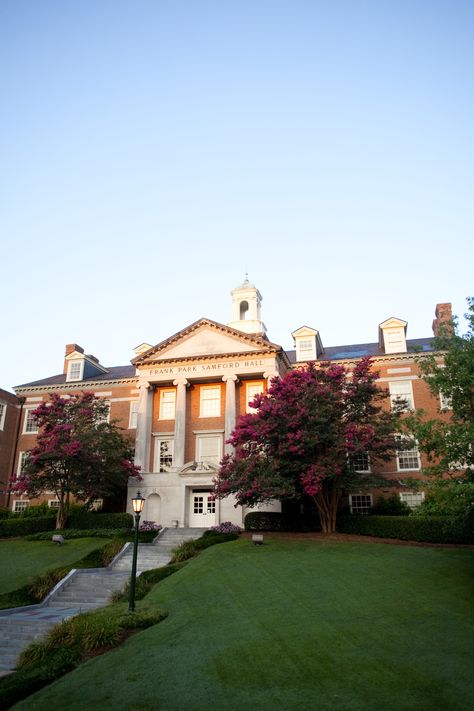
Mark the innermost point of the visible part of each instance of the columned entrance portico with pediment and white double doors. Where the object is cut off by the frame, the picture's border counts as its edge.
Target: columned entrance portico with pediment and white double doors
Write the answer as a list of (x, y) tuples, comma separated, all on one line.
[(193, 387)]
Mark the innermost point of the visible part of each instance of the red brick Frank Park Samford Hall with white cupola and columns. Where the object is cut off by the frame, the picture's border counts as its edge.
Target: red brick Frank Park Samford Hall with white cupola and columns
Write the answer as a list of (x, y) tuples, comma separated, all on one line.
[(180, 400)]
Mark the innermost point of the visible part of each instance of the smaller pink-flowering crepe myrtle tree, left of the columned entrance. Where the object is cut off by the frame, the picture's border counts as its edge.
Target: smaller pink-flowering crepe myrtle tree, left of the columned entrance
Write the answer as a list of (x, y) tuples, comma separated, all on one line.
[(77, 453)]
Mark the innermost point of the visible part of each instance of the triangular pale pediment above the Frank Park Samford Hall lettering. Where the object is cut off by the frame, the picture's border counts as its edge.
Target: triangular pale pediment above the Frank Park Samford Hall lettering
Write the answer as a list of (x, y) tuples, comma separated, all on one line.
[(205, 338)]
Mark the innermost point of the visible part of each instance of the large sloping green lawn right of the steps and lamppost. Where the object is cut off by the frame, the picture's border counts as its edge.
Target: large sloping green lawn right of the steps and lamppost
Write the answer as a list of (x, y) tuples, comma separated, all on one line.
[(294, 625)]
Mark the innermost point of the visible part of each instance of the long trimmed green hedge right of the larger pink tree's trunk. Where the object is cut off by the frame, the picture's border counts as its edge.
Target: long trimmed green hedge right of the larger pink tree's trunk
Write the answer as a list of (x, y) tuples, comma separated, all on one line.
[(428, 529)]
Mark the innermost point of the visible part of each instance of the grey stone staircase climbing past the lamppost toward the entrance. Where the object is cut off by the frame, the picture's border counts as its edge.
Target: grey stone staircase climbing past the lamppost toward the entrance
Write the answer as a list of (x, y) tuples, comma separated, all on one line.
[(82, 590)]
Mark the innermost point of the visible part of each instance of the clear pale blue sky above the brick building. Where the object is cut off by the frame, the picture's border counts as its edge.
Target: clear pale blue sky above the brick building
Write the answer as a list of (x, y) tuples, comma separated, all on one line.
[(152, 152)]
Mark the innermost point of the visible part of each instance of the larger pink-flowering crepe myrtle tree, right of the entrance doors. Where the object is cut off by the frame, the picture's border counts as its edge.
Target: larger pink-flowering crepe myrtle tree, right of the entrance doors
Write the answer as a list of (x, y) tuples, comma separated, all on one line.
[(303, 437)]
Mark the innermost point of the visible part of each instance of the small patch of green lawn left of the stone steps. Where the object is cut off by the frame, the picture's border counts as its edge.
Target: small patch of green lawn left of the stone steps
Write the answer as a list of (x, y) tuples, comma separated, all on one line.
[(21, 561)]
